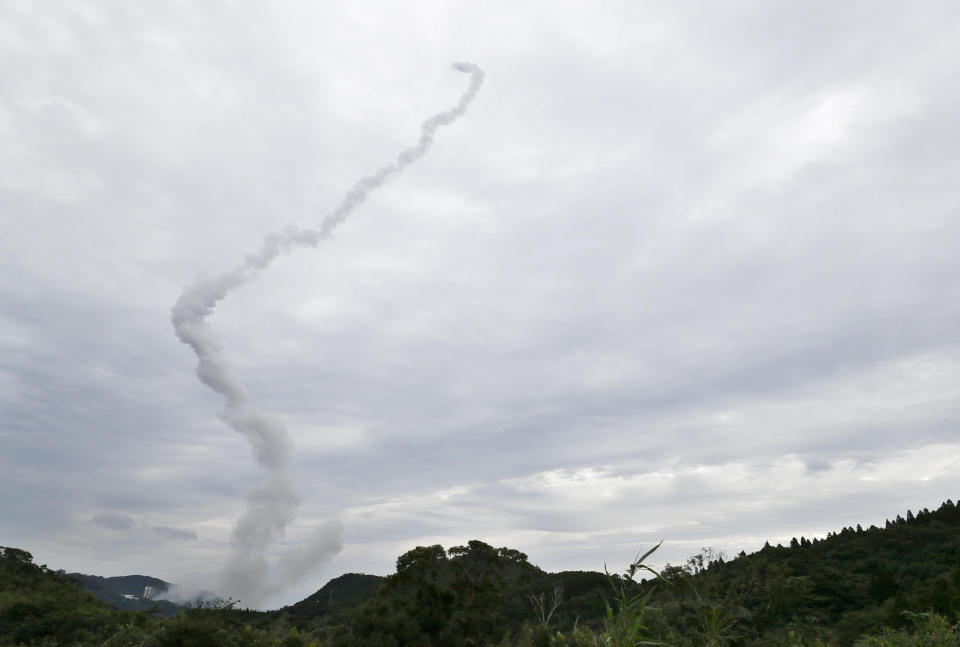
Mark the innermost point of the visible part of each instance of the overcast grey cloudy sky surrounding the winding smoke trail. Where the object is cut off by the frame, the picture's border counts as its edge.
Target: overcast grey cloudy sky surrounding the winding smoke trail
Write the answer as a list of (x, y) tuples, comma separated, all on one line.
[(680, 272)]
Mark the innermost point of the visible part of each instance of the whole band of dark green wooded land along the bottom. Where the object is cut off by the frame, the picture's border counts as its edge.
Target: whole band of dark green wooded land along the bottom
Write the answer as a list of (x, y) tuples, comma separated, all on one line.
[(874, 587)]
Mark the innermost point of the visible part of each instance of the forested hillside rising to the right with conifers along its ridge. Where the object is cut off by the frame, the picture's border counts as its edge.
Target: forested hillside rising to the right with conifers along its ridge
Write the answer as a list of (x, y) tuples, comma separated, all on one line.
[(832, 589)]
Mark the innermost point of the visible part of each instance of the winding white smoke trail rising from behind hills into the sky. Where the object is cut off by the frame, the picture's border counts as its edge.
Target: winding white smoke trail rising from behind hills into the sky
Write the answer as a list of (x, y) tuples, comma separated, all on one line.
[(272, 504)]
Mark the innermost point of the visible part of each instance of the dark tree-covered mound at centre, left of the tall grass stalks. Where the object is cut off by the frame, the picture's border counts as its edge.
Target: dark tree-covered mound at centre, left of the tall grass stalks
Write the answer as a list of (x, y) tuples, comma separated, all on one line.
[(474, 589)]
